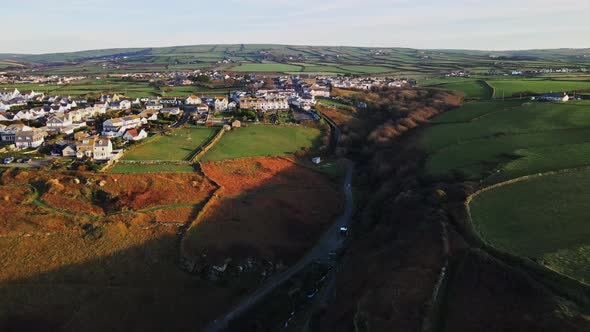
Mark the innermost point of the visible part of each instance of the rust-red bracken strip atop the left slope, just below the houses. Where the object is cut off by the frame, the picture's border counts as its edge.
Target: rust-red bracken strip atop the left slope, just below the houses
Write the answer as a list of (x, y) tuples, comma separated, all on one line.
[(95, 195)]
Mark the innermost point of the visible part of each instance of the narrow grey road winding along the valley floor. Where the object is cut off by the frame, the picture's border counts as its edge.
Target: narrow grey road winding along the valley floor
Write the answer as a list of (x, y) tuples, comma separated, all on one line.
[(331, 241)]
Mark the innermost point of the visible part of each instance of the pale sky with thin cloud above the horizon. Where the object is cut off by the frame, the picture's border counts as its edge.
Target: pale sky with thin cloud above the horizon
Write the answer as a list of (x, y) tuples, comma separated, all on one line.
[(48, 26)]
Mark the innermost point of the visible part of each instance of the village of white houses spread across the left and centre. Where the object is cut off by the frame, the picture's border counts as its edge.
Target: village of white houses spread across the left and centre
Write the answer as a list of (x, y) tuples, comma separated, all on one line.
[(94, 124)]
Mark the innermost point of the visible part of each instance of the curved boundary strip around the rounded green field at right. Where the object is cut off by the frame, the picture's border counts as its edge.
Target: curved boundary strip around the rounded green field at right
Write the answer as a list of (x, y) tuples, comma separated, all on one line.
[(559, 283)]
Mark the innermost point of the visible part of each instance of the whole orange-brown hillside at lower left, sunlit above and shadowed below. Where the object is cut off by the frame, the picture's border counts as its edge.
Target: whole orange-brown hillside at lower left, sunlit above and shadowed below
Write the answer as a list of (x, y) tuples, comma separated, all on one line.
[(66, 264)]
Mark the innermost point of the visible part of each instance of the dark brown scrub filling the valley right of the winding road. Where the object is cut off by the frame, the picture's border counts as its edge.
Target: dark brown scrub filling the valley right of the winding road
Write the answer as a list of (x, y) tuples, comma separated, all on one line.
[(391, 269)]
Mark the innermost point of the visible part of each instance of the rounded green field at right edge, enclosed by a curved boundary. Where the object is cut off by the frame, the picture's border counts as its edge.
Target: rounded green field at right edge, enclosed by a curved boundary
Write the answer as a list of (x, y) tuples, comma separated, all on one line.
[(544, 218)]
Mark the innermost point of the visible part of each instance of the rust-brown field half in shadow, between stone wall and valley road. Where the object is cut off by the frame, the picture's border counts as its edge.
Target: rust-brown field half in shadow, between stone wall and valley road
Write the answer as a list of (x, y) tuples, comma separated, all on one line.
[(267, 207)]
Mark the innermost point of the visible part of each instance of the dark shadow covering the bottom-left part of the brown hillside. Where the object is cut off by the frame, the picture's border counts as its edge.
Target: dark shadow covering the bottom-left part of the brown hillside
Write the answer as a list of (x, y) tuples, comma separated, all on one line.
[(138, 289)]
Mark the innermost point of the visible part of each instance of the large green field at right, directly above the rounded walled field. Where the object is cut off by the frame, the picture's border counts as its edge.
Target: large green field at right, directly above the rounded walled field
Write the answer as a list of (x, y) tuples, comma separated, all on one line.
[(498, 141)]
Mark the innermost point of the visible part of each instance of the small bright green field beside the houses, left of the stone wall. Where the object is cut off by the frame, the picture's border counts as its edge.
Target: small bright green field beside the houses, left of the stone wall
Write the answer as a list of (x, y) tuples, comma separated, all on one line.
[(179, 145)]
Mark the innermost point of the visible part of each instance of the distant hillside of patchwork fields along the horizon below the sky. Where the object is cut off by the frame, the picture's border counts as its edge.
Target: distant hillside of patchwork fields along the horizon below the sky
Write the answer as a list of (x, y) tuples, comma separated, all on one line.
[(287, 58)]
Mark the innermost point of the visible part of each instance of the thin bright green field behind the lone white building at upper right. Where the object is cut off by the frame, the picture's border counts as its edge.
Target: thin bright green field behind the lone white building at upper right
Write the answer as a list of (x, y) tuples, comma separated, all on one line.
[(515, 87)]
